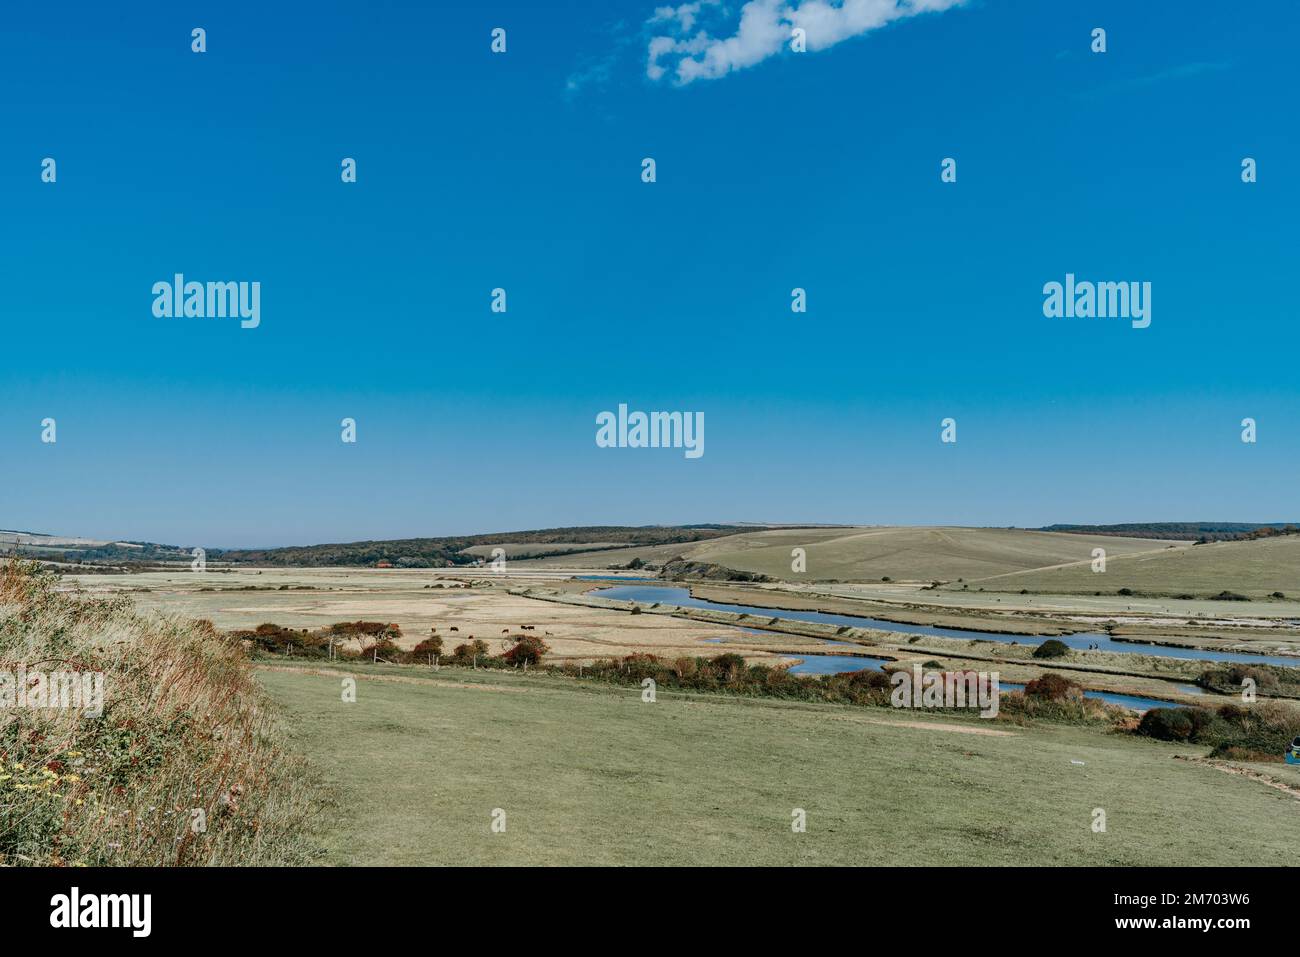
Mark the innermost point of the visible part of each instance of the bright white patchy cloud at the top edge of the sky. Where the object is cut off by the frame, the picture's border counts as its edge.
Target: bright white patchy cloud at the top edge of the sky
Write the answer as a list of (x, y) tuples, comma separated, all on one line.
[(764, 31)]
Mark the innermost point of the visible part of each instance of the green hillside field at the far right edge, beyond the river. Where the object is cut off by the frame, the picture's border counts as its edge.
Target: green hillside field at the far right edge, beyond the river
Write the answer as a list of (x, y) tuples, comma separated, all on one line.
[(1255, 569)]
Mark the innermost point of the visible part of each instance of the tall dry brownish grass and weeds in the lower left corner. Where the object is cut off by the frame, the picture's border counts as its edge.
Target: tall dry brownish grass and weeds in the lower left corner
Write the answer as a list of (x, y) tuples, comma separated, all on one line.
[(185, 767)]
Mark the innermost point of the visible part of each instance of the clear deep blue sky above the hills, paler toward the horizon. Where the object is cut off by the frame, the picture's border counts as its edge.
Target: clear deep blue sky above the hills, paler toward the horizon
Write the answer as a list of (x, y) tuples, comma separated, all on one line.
[(522, 171)]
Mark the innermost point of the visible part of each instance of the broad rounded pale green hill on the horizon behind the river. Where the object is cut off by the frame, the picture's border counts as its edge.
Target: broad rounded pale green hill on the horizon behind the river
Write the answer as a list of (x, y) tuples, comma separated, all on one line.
[(870, 555)]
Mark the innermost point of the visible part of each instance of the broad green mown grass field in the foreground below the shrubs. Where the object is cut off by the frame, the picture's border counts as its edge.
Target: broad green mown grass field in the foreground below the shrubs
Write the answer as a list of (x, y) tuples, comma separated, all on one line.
[(591, 774)]
